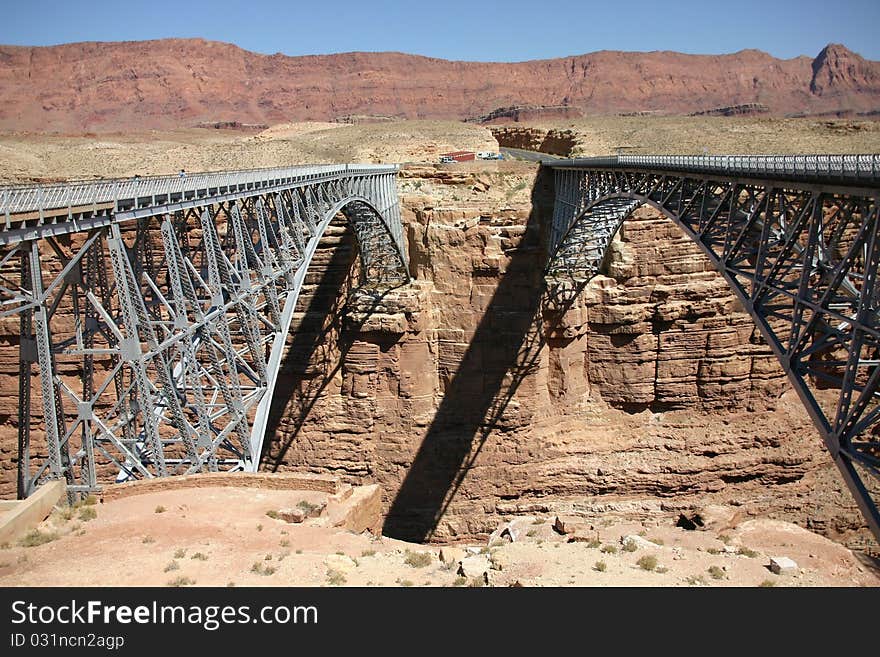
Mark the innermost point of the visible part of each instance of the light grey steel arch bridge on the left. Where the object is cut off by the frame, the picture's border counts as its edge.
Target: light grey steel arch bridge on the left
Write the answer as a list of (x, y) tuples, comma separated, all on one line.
[(153, 312)]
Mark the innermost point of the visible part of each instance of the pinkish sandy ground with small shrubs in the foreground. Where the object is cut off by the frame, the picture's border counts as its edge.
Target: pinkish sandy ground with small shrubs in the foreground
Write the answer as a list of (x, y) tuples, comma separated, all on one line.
[(222, 536)]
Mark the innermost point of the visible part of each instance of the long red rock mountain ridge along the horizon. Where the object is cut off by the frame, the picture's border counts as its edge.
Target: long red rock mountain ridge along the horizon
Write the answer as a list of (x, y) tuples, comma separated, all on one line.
[(175, 83)]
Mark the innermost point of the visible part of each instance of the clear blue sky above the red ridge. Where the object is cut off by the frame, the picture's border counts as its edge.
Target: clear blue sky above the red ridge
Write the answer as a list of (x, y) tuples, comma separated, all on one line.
[(514, 30)]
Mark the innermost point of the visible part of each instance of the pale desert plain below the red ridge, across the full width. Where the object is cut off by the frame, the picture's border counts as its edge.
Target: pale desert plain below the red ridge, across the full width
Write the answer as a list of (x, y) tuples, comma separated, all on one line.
[(31, 157)]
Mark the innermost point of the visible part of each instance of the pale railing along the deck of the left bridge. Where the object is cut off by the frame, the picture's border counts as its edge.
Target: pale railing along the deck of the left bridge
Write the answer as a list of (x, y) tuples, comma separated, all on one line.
[(54, 196)]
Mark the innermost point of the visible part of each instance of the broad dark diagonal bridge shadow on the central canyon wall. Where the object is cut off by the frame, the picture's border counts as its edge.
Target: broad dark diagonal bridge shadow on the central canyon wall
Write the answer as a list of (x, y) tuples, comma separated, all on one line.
[(505, 349)]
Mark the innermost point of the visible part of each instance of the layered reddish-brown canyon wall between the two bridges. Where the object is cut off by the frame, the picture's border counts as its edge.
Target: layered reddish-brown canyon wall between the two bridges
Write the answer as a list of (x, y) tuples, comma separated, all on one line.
[(470, 395)]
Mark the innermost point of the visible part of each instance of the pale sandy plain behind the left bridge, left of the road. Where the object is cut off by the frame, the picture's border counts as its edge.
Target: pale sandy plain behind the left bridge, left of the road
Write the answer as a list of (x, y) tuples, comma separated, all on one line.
[(26, 157)]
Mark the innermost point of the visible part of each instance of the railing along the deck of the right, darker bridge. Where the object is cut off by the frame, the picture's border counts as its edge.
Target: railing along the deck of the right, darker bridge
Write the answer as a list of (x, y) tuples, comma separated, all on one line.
[(847, 169)]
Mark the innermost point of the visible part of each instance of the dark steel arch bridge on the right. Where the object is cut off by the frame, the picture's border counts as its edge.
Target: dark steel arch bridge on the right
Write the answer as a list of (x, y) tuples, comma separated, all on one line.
[(798, 240)]
